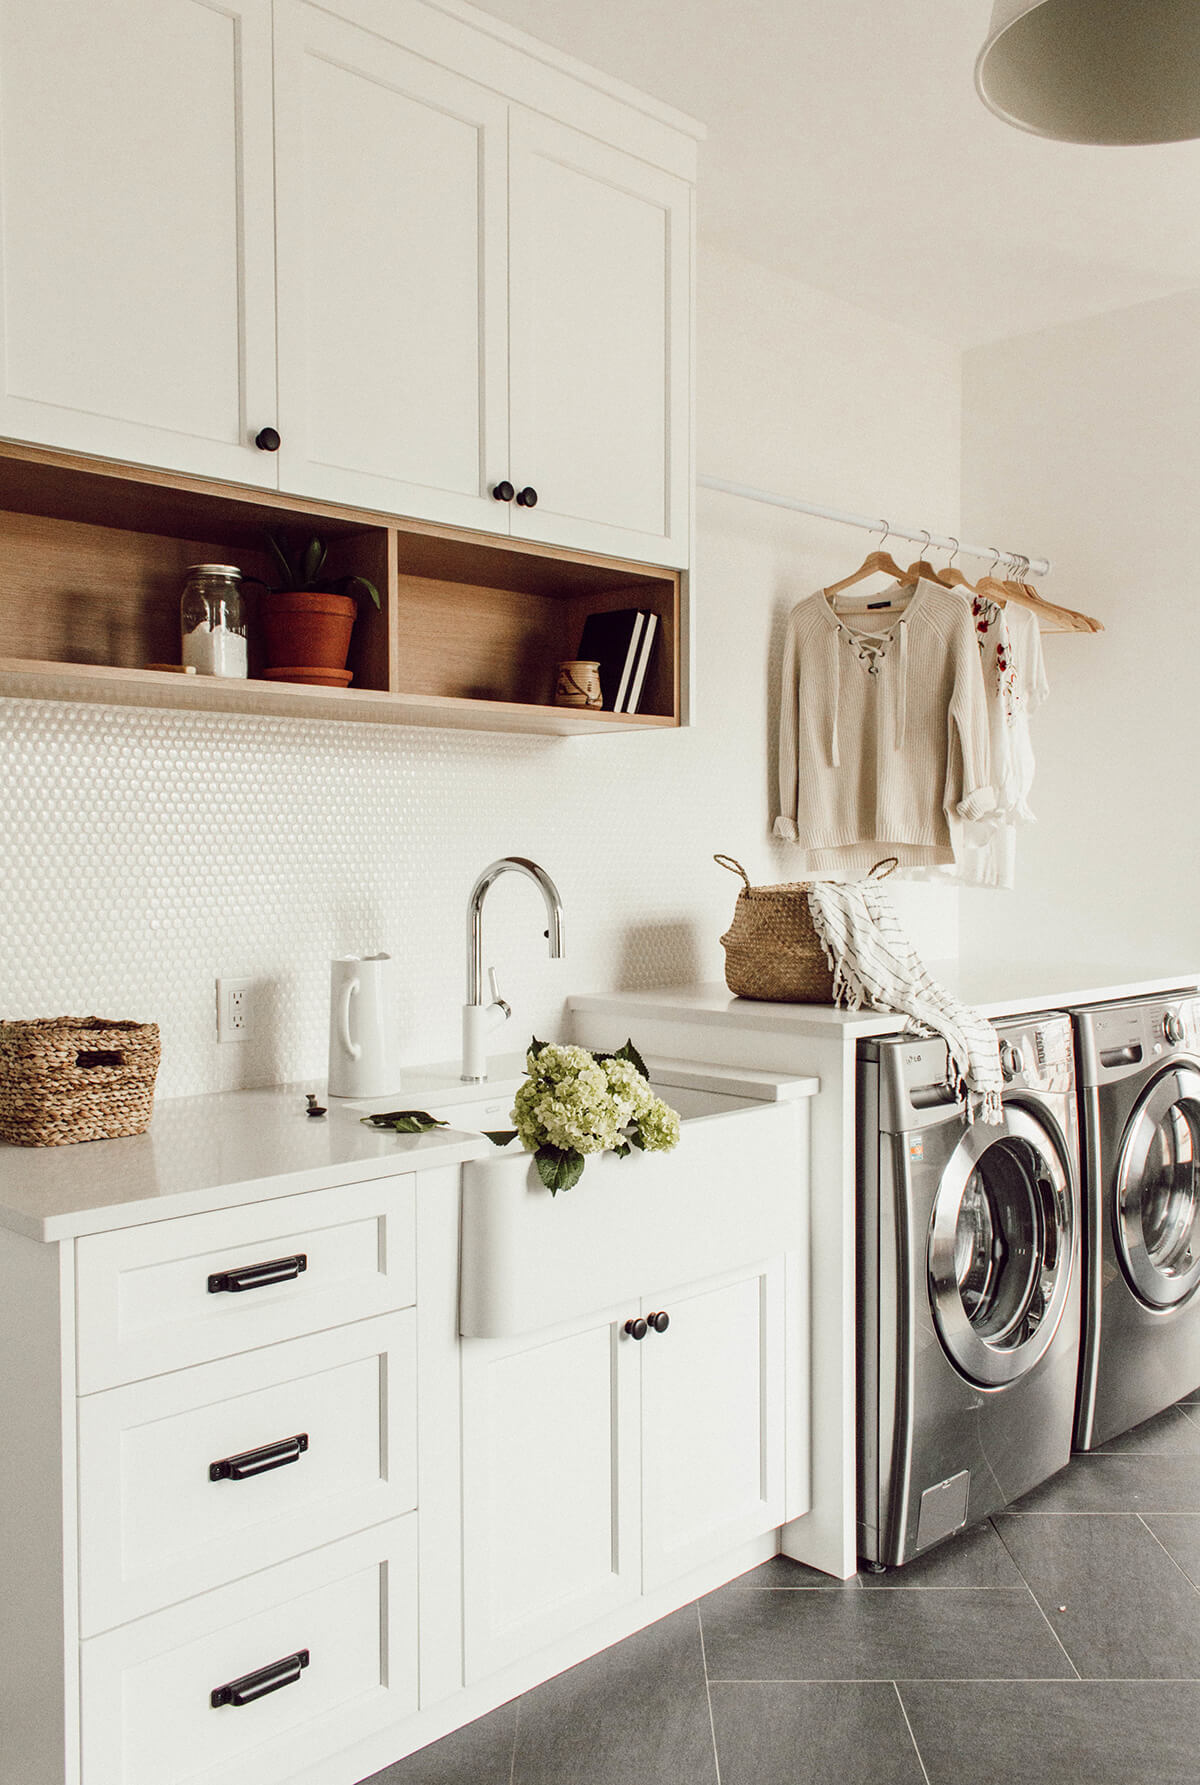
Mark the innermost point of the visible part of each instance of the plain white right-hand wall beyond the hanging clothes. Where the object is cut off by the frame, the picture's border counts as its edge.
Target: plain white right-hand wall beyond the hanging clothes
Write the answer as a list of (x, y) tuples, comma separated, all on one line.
[(1083, 442)]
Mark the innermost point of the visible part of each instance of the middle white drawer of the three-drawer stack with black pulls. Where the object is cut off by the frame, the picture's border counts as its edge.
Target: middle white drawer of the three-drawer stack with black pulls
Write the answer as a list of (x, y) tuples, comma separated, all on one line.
[(308, 1441)]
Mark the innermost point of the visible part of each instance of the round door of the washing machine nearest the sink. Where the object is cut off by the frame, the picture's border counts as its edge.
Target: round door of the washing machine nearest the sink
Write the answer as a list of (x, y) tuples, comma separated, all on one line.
[(1001, 1249)]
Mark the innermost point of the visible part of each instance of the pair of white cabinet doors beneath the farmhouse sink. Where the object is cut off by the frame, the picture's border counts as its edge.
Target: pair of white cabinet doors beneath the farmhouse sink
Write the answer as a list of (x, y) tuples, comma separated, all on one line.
[(599, 1466)]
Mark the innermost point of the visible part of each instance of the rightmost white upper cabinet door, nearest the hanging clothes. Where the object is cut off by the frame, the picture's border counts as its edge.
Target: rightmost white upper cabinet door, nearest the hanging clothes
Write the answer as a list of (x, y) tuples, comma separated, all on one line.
[(601, 345)]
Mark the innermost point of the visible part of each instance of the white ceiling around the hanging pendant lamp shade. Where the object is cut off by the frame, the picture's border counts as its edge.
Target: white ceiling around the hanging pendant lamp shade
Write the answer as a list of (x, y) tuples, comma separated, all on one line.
[(847, 147)]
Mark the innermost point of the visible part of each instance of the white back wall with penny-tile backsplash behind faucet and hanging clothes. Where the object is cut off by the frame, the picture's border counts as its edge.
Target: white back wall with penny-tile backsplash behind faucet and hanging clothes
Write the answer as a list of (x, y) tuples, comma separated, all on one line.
[(144, 854)]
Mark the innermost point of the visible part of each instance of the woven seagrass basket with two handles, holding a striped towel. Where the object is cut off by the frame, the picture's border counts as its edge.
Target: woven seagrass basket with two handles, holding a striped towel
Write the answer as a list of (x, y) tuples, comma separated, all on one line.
[(772, 949)]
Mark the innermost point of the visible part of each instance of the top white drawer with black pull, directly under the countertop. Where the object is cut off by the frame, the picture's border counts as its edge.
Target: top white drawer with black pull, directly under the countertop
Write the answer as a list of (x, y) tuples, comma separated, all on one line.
[(146, 1304)]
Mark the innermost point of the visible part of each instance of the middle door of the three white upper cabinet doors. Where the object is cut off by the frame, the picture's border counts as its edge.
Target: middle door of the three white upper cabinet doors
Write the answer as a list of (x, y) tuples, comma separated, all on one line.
[(392, 290)]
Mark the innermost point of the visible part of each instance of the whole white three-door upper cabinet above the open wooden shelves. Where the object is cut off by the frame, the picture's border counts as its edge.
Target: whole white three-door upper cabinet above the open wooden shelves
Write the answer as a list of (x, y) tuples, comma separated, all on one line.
[(479, 313)]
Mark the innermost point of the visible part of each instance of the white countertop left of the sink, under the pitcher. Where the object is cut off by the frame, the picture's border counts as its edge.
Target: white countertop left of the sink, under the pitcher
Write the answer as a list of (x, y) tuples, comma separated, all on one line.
[(212, 1152)]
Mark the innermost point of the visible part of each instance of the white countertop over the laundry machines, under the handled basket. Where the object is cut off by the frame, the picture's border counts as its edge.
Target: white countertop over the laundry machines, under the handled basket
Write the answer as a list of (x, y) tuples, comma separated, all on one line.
[(997, 992)]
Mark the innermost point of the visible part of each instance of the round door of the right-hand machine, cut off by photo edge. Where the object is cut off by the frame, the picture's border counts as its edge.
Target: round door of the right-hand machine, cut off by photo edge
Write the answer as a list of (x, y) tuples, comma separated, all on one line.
[(1158, 1191)]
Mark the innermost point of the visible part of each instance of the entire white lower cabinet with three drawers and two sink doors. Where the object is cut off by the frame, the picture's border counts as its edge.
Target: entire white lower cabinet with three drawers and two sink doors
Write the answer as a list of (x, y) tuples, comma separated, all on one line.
[(267, 1518)]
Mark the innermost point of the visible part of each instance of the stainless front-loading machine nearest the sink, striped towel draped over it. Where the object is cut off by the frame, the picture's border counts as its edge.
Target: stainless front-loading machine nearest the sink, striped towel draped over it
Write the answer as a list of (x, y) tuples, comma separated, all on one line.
[(969, 1286)]
